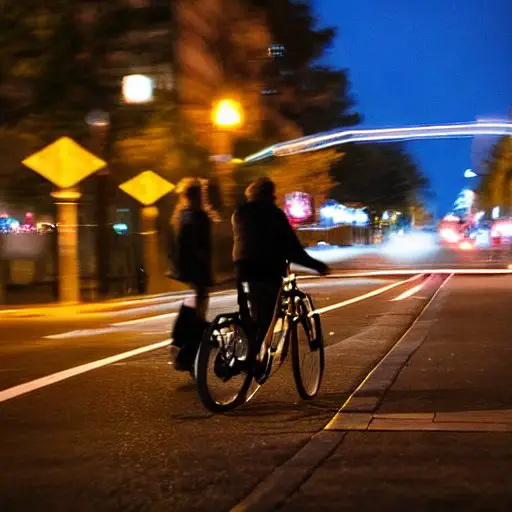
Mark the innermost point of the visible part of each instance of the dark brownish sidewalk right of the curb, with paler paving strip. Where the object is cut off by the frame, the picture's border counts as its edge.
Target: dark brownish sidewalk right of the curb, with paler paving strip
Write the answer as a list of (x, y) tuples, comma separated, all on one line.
[(441, 438)]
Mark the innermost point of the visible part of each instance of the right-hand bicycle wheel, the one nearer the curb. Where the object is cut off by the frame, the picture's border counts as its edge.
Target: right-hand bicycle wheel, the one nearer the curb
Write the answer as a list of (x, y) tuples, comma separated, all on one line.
[(308, 356)]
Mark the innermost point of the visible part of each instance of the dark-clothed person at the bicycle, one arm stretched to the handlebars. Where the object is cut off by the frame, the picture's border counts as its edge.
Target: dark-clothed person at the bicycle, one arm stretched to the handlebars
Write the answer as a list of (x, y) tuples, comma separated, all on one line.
[(264, 244)]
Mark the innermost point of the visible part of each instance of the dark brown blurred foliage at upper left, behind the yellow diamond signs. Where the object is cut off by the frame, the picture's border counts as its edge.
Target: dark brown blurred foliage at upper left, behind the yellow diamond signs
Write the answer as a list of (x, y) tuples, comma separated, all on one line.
[(61, 59)]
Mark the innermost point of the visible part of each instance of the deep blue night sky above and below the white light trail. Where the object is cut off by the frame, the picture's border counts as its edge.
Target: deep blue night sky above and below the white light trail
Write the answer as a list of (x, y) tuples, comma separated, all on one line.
[(426, 62)]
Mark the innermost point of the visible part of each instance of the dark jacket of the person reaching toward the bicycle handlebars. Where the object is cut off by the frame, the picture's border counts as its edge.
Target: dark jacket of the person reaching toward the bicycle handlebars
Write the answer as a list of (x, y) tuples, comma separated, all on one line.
[(264, 242)]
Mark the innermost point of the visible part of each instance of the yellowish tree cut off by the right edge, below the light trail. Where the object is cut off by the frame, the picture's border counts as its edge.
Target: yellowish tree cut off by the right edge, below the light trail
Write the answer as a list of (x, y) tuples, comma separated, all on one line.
[(496, 187)]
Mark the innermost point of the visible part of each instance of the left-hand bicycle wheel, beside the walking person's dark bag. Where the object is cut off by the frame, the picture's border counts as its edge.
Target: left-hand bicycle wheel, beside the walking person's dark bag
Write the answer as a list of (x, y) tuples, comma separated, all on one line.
[(223, 368)]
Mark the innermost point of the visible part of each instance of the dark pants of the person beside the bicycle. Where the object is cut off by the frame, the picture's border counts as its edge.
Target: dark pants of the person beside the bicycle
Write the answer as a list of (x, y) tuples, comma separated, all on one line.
[(257, 302)]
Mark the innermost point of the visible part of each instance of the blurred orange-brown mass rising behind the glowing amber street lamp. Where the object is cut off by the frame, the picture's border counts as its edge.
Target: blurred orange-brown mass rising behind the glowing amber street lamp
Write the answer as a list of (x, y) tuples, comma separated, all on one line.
[(219, 51)]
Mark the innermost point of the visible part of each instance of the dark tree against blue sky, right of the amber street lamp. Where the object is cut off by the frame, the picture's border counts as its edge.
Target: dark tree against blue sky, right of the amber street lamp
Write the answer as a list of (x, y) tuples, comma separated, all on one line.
[(300, 92)]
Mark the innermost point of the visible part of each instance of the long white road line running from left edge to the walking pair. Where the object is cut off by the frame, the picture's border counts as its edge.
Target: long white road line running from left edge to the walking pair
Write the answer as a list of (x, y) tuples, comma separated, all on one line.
[(22, 389)]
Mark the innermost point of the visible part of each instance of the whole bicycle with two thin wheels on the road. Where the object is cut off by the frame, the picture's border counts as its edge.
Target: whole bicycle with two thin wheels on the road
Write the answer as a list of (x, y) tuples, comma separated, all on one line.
[(226, 354)]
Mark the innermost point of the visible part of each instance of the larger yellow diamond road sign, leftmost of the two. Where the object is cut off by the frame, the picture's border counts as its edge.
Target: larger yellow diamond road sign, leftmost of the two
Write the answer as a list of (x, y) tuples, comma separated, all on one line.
[(65, 163)]
